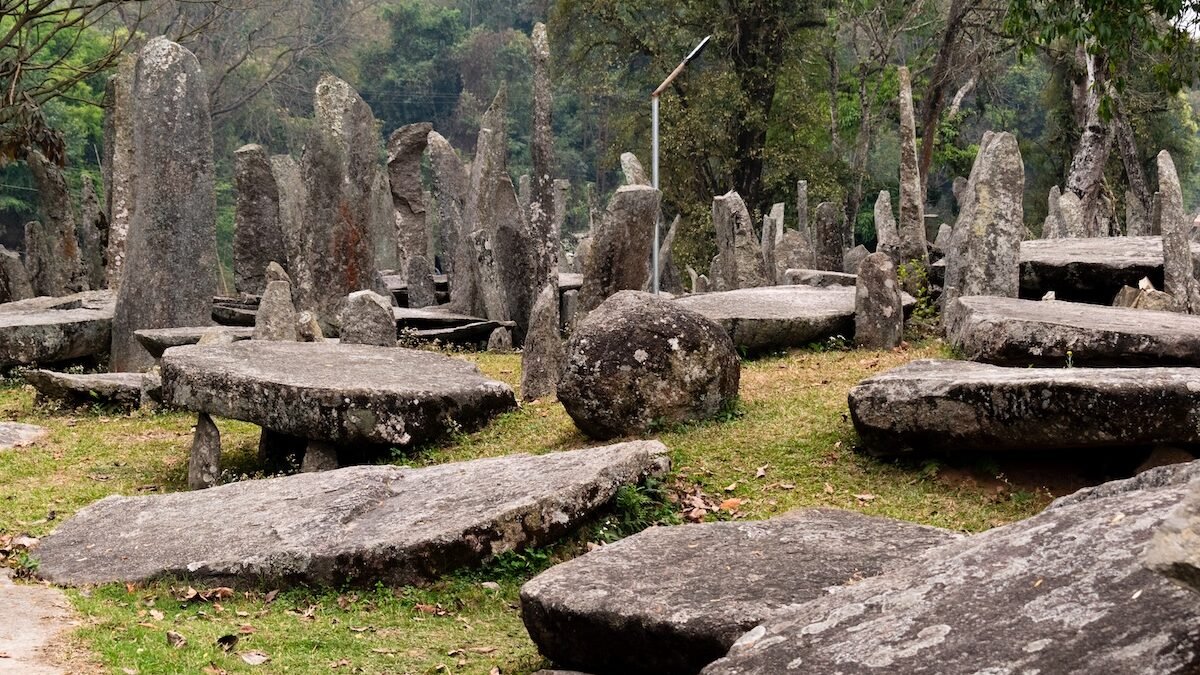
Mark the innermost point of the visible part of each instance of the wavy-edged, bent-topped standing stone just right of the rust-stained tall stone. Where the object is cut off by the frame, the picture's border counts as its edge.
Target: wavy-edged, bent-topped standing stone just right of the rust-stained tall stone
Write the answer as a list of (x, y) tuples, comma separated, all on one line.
[(406, 147)]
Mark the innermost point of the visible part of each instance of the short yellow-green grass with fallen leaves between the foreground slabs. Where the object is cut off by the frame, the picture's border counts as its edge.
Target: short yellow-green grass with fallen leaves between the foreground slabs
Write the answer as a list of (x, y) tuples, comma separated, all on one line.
[(788, 445)]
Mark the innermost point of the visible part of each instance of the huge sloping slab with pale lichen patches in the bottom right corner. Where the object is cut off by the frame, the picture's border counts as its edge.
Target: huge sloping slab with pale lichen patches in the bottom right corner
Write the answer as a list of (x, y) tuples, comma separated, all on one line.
[(1064, 592)]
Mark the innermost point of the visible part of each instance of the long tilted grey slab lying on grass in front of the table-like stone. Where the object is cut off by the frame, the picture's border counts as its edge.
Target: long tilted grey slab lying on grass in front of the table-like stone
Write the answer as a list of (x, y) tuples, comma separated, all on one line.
[(358, 525)]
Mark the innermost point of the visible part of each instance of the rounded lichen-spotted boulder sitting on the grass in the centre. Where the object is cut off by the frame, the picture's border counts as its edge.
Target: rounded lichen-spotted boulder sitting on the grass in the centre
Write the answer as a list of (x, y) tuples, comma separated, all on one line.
[(639, 360)]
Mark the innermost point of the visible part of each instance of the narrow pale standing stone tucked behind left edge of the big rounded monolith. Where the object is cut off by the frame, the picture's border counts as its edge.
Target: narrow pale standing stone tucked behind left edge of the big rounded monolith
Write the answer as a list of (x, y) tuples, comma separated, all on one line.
[(121, 172)]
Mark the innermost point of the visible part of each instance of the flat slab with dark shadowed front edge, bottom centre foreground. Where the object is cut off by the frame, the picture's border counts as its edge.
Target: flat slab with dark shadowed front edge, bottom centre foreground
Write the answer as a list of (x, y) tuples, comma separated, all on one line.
[(676, 599)]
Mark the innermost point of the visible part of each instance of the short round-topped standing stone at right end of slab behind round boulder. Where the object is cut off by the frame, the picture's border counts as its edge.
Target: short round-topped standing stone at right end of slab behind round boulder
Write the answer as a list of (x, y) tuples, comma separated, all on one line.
[(879, 307)]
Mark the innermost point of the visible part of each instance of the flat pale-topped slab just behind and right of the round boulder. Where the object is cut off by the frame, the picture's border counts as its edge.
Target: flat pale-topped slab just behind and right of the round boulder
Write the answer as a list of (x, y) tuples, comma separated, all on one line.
[(776, 318)]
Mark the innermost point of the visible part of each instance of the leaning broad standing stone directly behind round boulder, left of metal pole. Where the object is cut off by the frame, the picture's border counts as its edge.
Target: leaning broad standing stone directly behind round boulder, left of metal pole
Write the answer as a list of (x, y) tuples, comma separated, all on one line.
[(621, 246)]
